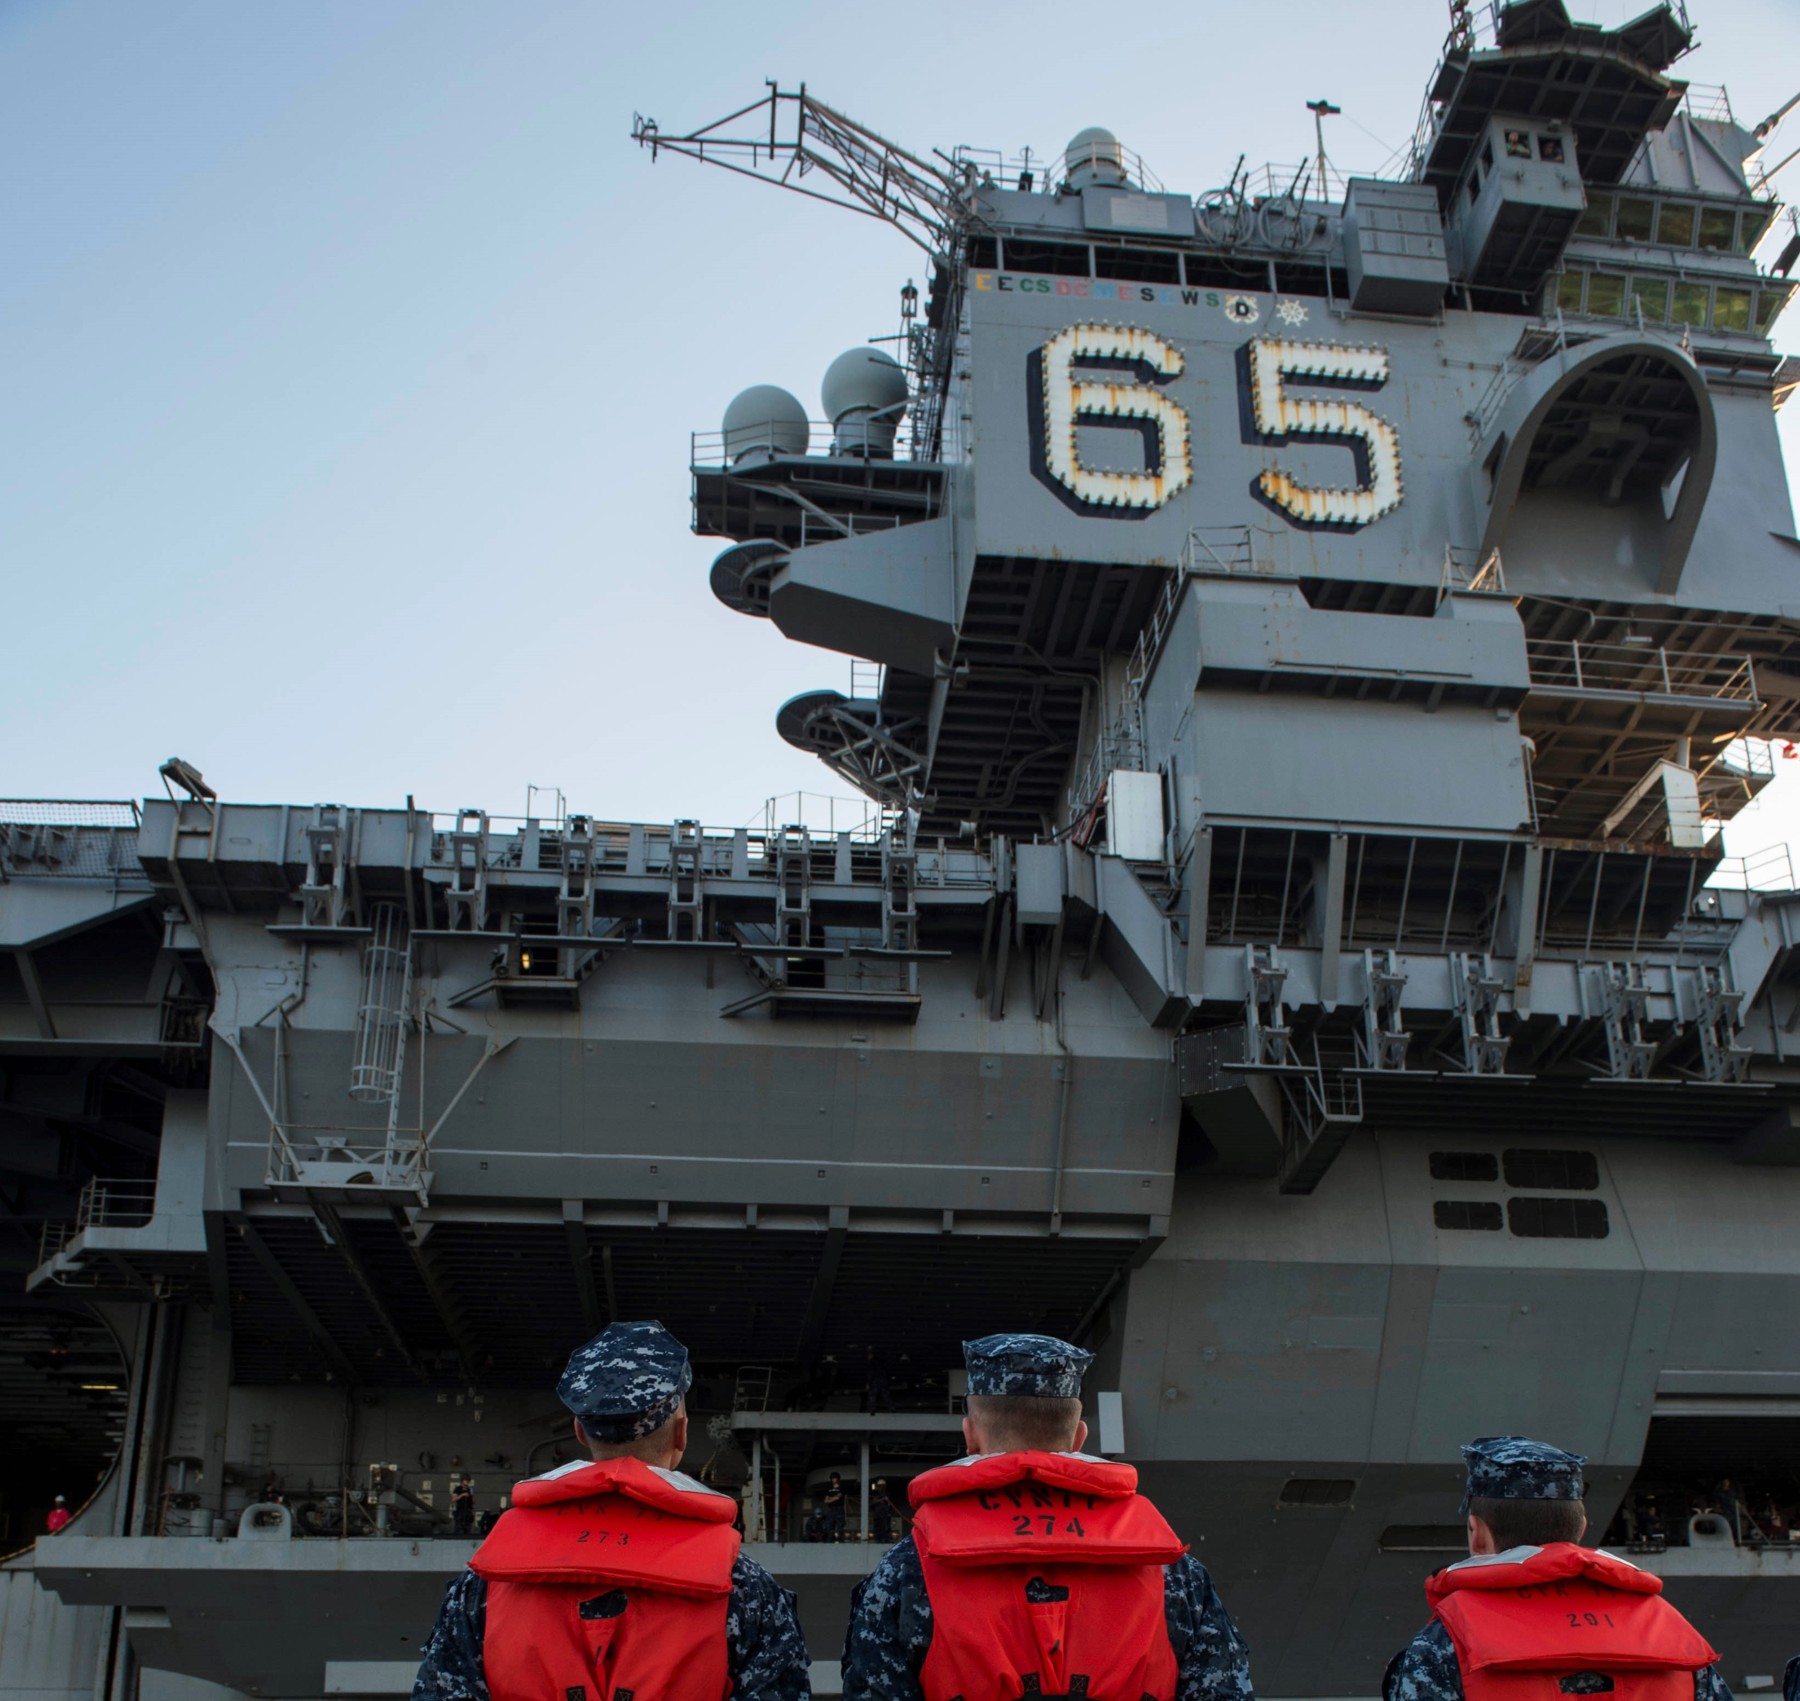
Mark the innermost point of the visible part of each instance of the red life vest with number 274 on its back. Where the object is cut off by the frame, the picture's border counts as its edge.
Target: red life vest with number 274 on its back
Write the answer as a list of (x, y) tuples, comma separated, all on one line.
[(1045, 1576)]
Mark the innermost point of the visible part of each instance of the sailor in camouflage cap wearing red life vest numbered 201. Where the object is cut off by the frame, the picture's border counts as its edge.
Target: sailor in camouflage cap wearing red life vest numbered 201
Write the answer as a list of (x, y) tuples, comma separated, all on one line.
[(1534, 1617)]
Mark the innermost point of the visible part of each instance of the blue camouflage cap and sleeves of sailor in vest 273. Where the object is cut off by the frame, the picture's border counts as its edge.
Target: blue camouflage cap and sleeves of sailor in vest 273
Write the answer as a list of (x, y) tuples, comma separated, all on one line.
[(624, 1385)]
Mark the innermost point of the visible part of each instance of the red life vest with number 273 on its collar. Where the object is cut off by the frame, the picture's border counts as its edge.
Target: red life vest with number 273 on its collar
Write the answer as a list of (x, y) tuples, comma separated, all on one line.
[(609, 1581)]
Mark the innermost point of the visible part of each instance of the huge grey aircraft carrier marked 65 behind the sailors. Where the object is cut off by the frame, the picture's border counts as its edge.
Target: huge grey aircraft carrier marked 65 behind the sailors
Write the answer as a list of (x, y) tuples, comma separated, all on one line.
[(1308, 642)]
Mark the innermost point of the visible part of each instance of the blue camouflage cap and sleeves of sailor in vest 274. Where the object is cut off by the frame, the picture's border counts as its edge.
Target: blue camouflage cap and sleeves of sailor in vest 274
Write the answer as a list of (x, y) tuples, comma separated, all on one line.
[(890, 1614)]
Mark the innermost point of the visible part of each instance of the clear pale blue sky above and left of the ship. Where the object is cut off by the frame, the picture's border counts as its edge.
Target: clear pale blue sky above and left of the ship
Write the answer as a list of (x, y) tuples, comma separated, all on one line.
[(350, 352)]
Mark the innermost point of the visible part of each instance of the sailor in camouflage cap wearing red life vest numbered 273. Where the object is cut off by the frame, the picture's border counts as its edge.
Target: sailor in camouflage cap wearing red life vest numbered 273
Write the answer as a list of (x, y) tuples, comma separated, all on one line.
[(616, 1574)]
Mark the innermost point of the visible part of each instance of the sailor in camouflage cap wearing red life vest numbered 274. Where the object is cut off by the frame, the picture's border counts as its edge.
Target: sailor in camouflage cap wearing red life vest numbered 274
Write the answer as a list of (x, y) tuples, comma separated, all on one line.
[(1036, 1569)]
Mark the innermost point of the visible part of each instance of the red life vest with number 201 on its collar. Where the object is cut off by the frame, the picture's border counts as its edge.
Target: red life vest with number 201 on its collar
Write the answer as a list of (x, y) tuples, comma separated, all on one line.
[(1542, 1624)]
